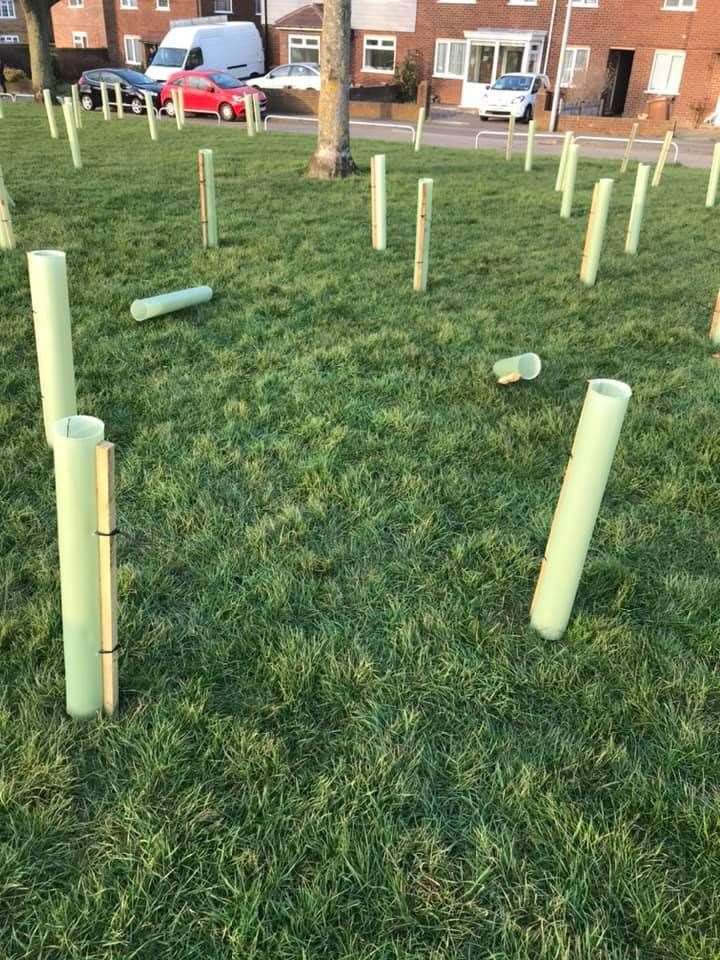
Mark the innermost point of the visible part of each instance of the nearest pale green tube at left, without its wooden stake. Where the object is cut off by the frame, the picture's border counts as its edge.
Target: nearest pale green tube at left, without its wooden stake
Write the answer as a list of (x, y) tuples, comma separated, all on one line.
[(74, 442)]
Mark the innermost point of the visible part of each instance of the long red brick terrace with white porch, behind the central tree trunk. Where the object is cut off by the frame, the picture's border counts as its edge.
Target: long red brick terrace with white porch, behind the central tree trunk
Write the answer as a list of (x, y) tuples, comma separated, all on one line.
[(625, 52)]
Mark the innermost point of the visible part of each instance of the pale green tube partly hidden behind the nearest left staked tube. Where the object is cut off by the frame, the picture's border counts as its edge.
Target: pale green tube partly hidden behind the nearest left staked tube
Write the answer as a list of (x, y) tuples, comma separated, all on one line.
[(53, 339)]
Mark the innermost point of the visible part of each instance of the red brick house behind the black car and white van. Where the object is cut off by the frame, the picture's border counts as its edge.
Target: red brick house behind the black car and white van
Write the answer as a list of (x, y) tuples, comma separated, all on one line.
[(131, 29)]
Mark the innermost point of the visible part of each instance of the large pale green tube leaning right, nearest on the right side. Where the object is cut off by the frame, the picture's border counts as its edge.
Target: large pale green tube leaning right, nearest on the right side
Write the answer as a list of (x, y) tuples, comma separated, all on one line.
[(577, 509)]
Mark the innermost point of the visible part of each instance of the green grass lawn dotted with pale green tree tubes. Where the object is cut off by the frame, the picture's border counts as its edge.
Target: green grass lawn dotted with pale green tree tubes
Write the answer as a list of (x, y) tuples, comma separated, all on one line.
[(339, 737)]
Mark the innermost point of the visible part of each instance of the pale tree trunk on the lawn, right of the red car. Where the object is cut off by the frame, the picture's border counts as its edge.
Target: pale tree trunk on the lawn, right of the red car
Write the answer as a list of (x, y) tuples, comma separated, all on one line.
[(332, 157)]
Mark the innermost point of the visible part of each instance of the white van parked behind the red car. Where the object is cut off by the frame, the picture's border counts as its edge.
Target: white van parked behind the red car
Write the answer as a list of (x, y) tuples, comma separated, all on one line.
[(235, 47)]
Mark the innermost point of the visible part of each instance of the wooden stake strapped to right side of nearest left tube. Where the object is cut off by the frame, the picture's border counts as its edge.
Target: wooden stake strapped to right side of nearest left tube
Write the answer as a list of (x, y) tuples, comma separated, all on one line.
[(107, 556)]
